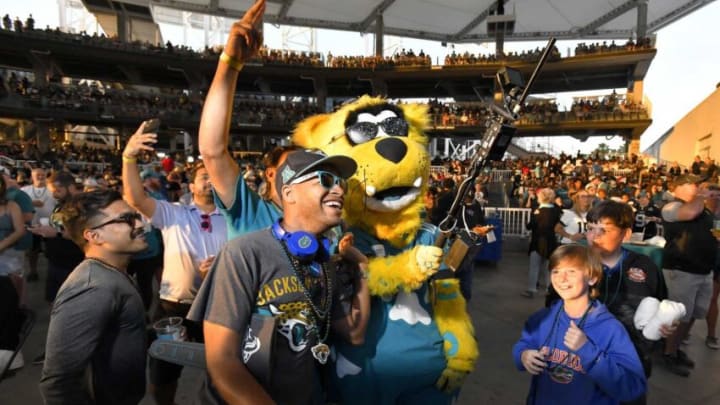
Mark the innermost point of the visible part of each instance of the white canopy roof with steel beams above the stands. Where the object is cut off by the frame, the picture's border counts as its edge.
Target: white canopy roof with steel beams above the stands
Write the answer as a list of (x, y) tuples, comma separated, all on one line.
[(457, 21)]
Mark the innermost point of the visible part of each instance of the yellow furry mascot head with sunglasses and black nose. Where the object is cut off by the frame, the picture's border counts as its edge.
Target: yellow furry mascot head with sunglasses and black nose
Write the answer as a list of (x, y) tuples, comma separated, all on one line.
[(385, 196)]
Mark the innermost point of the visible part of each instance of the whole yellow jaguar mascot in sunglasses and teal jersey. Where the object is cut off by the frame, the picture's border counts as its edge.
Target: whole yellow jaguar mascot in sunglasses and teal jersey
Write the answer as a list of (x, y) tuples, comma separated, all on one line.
[(420, 342)]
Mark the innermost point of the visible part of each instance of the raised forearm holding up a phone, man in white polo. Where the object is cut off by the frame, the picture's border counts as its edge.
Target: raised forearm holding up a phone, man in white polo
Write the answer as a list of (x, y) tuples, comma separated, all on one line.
[(133, 190)]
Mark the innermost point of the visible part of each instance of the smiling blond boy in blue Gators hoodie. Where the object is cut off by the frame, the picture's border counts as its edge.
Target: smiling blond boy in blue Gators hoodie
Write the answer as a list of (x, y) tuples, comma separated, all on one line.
[(577, 352)]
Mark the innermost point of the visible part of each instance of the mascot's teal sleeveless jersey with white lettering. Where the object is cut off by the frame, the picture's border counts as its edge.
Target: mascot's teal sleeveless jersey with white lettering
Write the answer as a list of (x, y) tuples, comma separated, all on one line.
[(402, 335)]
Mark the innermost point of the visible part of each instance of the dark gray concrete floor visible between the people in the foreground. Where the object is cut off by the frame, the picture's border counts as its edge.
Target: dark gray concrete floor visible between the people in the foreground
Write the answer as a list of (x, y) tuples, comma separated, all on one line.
[(498, 313)]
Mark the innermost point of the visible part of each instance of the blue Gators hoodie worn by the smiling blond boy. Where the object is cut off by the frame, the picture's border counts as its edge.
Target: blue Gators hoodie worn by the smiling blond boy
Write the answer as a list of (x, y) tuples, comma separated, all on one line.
[(606, 370)]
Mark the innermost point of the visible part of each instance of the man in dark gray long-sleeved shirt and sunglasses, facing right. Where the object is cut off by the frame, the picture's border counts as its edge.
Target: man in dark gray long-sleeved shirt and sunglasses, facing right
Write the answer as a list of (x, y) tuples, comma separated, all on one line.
[(97, 324)]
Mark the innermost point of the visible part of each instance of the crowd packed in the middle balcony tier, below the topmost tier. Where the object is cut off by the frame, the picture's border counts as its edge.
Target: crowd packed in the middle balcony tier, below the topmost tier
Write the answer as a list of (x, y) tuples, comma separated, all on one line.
[(271, 111)]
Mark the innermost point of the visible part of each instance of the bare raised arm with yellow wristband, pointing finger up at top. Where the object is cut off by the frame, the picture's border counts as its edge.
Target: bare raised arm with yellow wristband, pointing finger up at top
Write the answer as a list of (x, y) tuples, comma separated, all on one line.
[(242, 44)]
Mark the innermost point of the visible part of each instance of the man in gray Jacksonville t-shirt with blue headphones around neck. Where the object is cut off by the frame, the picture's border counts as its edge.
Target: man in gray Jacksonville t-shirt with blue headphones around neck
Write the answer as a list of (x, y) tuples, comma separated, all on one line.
[(284, 275)]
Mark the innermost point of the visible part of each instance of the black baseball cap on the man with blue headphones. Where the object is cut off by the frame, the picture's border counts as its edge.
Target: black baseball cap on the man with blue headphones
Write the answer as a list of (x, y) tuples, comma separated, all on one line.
[(301, 162)]
